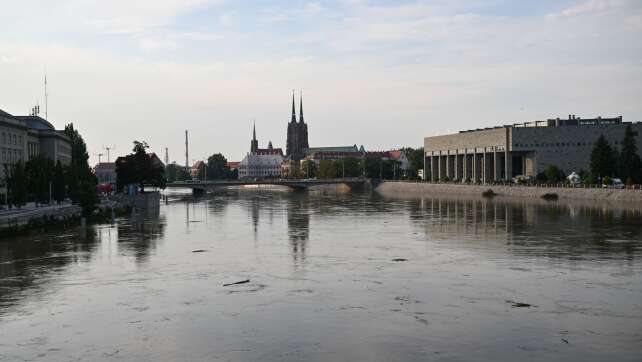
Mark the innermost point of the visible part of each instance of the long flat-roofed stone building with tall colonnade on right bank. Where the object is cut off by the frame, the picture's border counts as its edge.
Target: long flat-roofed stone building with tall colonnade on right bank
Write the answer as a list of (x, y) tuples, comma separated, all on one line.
[(501, 153)]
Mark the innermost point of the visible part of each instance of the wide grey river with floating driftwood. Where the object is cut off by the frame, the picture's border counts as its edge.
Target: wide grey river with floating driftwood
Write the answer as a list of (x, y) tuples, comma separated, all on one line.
[(332, 277)]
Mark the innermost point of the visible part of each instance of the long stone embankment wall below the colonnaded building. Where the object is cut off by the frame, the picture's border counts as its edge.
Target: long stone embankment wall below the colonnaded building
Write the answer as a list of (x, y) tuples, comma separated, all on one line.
[(598, 194)]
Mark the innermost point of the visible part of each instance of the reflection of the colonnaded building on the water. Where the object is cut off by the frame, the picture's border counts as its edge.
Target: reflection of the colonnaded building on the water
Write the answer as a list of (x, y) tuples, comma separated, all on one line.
[(555, 230)]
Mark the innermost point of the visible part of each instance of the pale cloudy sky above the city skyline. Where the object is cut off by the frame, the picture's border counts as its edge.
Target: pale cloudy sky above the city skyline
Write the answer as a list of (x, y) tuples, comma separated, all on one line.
[(381, 73)]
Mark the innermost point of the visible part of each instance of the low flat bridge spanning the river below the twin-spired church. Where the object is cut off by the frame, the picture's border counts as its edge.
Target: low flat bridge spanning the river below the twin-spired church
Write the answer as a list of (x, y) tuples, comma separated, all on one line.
[(199, 187)]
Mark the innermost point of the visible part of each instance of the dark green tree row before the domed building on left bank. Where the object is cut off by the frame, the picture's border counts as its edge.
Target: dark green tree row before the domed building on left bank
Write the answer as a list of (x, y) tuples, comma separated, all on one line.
[(41, 180)]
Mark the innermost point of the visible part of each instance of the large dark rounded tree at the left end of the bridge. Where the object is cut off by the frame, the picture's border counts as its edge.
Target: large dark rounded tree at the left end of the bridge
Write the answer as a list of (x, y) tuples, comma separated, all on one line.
[(140, 168)]
